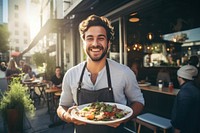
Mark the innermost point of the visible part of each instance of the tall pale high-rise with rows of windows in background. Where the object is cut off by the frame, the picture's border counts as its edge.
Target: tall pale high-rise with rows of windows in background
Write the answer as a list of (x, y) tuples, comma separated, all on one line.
[(18, 25)]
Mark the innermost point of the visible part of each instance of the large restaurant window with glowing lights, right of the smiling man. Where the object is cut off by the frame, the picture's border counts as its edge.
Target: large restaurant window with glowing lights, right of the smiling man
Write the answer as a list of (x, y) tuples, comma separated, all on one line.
[(163, 38)]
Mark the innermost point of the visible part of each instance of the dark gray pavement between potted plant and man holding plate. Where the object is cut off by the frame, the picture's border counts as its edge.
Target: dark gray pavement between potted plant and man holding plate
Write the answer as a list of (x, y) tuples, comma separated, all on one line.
[(41, 122)]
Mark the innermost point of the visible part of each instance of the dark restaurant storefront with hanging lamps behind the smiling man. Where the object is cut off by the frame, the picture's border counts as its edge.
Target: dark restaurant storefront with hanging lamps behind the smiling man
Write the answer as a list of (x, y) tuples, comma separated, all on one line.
[(154, 34)]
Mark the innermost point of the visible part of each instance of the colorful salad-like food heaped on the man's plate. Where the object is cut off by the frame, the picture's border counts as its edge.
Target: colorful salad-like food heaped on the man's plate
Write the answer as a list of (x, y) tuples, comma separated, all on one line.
[(100, 111)]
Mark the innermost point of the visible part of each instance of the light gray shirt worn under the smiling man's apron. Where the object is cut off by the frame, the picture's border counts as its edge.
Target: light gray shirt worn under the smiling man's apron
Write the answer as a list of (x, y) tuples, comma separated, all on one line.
[(123, 80)]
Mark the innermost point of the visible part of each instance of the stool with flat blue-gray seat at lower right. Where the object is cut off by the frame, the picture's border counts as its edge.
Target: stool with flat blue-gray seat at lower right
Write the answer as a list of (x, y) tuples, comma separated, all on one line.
[(153, 122)]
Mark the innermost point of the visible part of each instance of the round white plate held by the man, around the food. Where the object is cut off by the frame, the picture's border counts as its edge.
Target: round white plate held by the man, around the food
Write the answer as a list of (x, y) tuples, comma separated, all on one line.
[(120, 106)]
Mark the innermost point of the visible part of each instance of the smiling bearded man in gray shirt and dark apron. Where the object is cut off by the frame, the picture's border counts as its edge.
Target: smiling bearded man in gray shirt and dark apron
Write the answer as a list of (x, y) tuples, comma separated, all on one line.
[(98, 78)]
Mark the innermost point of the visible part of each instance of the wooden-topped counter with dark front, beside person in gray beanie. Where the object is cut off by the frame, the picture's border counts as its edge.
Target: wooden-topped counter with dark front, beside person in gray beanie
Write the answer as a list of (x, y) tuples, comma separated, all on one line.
[(159, 101)]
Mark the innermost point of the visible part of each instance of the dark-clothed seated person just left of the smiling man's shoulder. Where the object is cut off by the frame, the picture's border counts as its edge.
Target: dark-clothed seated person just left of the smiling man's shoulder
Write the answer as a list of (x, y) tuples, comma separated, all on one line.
[(57, 78)]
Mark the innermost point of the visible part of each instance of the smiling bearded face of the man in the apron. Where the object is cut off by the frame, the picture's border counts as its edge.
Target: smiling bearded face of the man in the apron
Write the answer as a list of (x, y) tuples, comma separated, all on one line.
[(95, 43)]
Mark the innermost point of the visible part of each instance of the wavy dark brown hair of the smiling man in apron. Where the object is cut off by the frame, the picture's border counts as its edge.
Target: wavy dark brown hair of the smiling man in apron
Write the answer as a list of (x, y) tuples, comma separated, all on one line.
[(94, 20)]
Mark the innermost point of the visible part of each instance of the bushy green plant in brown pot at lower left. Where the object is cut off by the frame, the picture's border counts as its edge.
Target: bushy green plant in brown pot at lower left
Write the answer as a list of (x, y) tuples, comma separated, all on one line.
[(14, 103)]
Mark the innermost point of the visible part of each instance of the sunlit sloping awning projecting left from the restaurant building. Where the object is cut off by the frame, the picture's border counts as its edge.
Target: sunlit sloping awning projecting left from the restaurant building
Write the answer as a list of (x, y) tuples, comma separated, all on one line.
[(51, 26)]
